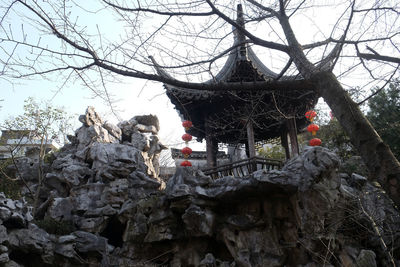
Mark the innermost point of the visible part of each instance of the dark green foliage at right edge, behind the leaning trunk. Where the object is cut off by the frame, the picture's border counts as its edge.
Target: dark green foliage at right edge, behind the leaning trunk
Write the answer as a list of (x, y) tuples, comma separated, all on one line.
[(384, 115)]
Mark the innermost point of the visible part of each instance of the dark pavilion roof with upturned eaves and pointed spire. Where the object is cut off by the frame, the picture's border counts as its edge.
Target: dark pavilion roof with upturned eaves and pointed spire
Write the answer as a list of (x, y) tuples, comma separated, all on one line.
[(227, 112)]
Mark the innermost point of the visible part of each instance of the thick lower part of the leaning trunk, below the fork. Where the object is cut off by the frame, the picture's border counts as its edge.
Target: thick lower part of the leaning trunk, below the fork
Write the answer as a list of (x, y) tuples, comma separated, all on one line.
[(379, 159)]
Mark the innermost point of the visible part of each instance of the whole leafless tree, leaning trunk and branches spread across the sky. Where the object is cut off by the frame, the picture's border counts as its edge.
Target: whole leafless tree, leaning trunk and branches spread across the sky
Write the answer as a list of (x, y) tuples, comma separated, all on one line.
[(352, 40)]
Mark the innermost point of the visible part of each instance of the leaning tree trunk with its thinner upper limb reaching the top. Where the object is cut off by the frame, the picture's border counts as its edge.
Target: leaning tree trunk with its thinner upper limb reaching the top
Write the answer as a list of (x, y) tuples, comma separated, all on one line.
[(379, 159)]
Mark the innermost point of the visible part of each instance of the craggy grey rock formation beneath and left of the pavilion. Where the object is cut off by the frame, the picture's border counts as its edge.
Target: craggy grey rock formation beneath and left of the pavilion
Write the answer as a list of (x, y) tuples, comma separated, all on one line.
[(103, 205)]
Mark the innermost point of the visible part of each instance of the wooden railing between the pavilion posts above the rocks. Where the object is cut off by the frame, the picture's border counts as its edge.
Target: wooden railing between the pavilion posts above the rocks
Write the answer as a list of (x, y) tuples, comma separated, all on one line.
[(243, 168)]
